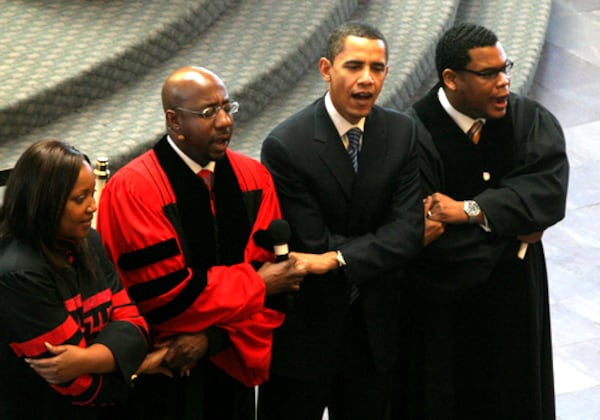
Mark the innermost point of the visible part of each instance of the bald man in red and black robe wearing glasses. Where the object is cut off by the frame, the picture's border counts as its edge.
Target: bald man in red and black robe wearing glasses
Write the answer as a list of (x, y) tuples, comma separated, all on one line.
[(182, 243)]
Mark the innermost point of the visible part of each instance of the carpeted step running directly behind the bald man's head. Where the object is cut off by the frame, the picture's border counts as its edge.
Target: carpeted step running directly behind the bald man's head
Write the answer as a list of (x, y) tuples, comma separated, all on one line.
[(258, 48)]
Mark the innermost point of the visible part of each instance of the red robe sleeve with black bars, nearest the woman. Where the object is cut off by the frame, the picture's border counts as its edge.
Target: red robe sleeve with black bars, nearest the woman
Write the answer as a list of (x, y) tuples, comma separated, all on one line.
[(173, 297)]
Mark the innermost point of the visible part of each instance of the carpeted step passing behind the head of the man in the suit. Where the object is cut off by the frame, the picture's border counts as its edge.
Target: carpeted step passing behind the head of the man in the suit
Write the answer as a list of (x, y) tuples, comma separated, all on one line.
[(411, 27)]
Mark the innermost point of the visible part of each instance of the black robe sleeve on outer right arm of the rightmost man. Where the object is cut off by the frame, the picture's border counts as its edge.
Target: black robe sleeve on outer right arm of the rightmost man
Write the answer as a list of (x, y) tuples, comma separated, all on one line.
[(532, 196)]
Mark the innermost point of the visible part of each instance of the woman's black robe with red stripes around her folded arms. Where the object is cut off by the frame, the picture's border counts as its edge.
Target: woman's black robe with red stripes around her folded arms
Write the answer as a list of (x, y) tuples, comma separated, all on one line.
[(34, 312)]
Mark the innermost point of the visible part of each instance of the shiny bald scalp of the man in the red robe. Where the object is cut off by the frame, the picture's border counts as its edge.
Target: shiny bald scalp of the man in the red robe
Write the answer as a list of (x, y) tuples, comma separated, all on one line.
[(186, 85)]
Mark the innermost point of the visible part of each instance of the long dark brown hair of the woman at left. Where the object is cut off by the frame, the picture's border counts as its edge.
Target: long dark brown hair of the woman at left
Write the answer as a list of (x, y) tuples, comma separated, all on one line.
[(35, 198)]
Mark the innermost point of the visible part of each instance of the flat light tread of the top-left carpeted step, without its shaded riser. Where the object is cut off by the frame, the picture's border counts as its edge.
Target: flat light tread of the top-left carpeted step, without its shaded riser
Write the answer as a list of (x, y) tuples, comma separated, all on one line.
[(52, 43)]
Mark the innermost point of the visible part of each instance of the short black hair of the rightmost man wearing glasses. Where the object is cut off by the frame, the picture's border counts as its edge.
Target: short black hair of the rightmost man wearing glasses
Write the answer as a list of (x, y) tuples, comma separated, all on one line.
[(452, 51)]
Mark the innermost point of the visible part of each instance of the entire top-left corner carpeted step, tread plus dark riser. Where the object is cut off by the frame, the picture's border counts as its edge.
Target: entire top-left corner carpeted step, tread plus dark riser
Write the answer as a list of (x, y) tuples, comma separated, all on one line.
[(59, 56)]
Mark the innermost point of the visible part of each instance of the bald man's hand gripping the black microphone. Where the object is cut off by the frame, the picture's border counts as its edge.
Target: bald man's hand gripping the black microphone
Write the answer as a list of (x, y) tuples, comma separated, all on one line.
[(284, 276)]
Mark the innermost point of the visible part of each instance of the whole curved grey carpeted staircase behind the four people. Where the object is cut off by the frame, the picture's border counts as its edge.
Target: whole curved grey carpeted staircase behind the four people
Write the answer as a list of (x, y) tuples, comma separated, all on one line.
[(90, 73)]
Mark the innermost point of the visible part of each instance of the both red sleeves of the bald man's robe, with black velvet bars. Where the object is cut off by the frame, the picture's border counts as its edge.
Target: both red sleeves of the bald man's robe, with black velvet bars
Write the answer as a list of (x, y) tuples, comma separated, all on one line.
[(174, 297)]
